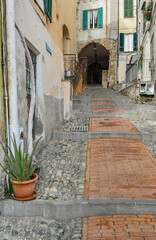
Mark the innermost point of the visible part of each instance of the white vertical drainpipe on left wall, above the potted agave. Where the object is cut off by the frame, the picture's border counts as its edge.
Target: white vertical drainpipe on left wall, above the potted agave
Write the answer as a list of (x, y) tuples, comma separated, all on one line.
[(11, 62)]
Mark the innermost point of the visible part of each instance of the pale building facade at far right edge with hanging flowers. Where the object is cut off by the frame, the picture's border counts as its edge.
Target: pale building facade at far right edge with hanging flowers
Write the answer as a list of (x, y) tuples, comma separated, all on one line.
[(146, 41)]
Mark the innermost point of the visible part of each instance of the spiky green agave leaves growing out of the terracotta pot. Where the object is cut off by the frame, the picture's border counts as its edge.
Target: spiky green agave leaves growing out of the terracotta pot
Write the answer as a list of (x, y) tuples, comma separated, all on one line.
[(18, 164)]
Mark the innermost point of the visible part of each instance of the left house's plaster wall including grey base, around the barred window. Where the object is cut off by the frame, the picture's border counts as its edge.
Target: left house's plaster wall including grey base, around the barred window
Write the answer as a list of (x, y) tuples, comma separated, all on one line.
[(50, 69)]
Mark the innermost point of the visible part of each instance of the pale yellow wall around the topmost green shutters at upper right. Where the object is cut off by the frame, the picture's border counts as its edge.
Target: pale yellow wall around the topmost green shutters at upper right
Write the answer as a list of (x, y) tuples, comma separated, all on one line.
[(127, 25)]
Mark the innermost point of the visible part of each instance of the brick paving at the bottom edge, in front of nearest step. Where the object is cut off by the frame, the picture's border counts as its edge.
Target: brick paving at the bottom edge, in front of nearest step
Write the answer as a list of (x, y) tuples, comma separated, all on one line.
[(125, 227)]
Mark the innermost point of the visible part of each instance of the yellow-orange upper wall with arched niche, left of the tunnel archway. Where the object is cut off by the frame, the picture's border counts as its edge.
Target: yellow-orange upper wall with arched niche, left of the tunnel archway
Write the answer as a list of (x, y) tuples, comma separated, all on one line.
[(63, 13)]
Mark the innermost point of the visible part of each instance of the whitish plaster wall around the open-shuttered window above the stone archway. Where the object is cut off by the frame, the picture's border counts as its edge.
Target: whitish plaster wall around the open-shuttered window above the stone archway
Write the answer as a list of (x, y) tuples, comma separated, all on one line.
[(110, 17)]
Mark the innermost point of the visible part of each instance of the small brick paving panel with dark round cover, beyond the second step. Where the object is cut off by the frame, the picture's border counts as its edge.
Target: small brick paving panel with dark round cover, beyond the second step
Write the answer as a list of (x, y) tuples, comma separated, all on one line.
[(111, 125)]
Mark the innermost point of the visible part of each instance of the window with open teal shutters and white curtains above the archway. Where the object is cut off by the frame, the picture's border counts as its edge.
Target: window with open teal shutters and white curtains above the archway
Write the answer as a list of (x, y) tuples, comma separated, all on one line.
[(92, 19)]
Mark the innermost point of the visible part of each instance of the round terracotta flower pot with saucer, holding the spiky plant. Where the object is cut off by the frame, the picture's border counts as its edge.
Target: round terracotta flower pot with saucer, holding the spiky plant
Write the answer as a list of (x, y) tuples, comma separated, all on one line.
[(24, 190)]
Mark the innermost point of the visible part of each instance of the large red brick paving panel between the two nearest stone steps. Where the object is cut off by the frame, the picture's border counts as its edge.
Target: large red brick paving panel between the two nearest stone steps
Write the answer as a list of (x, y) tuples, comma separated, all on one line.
[(117, 169)]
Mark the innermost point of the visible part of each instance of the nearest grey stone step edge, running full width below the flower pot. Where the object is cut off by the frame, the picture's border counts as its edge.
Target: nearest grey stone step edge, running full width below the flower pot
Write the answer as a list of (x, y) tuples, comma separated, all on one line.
[(77, 209)]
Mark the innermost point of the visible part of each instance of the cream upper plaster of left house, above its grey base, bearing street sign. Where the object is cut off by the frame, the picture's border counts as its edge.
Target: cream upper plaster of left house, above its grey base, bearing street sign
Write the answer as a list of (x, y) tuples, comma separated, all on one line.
[(34, 30)]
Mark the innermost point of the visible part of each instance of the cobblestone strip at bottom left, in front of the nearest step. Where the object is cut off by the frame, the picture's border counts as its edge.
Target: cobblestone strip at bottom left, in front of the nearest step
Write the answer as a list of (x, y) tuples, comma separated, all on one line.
[(39, 229)]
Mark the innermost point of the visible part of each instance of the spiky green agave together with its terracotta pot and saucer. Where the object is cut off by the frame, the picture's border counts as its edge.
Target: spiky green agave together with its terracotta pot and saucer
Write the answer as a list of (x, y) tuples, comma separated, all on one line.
[(18, 166)]
